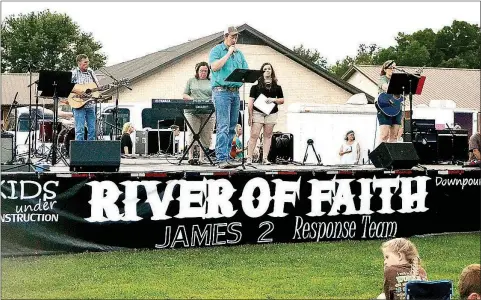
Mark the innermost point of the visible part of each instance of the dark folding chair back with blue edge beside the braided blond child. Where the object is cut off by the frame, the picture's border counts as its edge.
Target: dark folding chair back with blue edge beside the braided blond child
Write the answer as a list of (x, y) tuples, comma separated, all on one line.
[(437, 289)]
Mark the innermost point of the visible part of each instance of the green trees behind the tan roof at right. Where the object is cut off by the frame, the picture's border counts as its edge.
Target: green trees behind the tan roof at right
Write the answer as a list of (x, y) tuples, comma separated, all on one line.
[(454, 46)]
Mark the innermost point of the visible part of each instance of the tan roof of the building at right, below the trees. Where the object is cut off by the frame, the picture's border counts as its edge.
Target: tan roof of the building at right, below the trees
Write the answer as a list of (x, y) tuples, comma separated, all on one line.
[(460, 85)]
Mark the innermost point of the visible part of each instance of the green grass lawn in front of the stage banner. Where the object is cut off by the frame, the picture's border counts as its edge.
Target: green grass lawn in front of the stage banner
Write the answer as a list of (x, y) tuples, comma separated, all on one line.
[(349, 269)]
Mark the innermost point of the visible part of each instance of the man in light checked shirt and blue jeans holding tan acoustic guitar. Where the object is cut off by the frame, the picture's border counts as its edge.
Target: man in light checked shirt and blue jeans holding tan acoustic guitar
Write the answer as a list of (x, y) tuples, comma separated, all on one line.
[(83, 75)]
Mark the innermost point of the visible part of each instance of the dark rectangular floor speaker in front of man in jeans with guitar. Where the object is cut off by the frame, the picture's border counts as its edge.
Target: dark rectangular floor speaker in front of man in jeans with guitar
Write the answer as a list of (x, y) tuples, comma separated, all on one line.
[(94, 156)]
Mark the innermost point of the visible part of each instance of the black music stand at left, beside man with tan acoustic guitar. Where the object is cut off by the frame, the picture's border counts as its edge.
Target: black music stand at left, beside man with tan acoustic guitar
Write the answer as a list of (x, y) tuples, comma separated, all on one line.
[(55, 84)]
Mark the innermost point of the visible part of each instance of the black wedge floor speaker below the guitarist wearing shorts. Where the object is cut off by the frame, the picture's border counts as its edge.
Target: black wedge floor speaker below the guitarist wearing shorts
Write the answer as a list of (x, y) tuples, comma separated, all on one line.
[(394, 155)]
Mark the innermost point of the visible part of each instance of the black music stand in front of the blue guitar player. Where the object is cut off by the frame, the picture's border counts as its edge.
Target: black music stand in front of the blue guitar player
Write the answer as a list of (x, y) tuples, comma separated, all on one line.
[(402, 83)]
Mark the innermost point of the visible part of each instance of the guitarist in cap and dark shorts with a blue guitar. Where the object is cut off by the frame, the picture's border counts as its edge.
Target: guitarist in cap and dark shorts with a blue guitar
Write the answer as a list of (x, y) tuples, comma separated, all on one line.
[(389, 106)]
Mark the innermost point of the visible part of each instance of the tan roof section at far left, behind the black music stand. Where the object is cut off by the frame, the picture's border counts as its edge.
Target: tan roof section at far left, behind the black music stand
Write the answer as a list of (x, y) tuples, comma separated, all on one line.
[(18, 82)]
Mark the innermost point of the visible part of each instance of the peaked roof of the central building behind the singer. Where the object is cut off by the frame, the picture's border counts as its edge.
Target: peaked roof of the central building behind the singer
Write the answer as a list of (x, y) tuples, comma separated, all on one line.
[(141, 67)]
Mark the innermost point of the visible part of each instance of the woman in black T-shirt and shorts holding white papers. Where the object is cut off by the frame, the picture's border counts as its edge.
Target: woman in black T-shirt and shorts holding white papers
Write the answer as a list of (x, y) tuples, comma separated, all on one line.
[(264, 98)]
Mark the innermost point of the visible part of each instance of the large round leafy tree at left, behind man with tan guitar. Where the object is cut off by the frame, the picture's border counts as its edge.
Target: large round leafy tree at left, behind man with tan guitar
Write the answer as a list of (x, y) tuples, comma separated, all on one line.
[(45, 41)]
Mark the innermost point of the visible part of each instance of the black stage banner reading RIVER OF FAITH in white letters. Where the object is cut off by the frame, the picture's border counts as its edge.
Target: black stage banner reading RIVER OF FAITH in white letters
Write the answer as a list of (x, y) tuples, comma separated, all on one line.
[(101, 212)]
